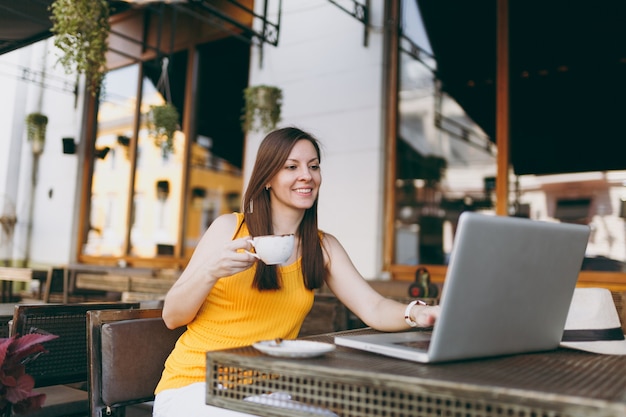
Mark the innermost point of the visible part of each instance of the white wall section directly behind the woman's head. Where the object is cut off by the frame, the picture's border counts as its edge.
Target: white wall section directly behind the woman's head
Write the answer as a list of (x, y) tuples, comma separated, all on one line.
[(333, 87)]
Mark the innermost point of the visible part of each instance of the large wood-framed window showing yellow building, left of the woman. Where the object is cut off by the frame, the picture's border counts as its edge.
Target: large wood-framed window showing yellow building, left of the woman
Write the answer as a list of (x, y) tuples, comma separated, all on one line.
[(148, 201)]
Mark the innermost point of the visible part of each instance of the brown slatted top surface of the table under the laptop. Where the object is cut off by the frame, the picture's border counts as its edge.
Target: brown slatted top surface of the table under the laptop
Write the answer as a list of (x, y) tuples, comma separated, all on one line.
[(563, 375)]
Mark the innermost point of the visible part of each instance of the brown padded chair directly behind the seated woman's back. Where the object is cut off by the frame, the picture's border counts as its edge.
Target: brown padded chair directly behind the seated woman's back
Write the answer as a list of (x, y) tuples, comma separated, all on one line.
[(127, 352)]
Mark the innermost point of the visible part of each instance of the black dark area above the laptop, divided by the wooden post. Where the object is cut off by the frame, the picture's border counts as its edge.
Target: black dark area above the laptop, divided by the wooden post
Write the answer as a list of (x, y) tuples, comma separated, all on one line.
[(567, 77)]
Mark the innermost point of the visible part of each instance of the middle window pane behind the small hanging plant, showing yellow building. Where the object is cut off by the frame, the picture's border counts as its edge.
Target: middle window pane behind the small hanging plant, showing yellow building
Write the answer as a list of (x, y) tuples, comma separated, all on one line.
[(158, 185)]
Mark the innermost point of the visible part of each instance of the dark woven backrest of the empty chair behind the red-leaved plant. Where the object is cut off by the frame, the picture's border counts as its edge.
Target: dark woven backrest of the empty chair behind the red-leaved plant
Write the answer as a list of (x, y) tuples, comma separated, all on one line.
[(66, 361)]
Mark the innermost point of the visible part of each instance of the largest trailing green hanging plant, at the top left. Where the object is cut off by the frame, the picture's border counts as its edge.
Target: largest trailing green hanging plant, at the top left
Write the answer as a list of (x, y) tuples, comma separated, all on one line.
[(81, 29)]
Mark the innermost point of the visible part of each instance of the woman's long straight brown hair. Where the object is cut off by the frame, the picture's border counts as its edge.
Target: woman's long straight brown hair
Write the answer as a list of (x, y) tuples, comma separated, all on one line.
[(271, 156)]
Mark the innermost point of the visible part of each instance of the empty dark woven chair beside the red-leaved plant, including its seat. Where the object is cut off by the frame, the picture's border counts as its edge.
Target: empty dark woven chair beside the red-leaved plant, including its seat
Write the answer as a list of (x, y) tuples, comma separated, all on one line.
[(60, 372)]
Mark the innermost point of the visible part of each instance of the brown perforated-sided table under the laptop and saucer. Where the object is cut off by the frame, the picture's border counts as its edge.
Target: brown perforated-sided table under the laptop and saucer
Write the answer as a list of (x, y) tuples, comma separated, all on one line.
[(347, 382)]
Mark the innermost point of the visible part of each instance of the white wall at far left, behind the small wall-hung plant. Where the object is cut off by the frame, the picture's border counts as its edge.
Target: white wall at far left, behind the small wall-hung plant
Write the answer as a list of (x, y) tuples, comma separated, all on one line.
[(45, 88)]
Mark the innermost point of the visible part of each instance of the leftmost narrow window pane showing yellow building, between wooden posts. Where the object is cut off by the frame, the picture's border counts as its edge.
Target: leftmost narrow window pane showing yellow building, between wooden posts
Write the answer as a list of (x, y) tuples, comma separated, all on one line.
[(112, 166)]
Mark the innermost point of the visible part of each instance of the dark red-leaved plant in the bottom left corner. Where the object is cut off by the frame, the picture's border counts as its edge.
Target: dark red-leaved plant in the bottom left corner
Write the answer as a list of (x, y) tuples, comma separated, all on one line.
[(16, 386)]
